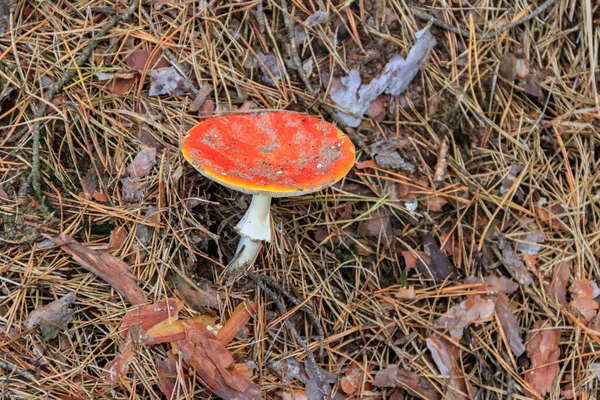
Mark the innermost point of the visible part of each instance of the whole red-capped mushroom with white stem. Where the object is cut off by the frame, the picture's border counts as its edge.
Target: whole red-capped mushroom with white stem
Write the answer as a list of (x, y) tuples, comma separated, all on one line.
[(267, 154)]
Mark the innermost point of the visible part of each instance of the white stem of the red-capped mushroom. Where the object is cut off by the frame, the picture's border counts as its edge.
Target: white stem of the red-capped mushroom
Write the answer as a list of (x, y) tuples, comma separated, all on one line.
[(254, 228)]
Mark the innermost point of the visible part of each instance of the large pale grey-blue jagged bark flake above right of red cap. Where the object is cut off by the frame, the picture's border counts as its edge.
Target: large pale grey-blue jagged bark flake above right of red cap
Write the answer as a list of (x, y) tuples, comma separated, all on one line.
[(398, 73)]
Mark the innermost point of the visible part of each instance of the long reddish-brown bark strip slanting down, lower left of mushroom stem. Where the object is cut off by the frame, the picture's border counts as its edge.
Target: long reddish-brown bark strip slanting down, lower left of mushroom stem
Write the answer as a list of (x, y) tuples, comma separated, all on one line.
[(105, 266)]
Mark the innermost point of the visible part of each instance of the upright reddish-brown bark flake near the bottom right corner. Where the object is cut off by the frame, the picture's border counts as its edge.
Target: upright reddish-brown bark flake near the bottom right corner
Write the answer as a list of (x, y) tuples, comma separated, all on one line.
[(543, 351)]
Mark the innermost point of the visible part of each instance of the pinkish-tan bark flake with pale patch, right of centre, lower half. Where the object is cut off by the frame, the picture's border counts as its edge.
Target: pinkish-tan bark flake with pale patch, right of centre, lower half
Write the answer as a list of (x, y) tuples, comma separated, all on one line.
[(474, 310)]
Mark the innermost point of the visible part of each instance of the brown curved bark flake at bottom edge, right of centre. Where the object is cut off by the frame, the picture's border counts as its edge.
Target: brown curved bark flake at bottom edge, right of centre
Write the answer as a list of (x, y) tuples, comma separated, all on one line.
[(394, 376)]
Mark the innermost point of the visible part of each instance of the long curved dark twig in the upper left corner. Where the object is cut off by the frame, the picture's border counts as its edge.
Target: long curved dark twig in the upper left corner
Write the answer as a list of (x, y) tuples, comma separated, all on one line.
[(36, 177)]
